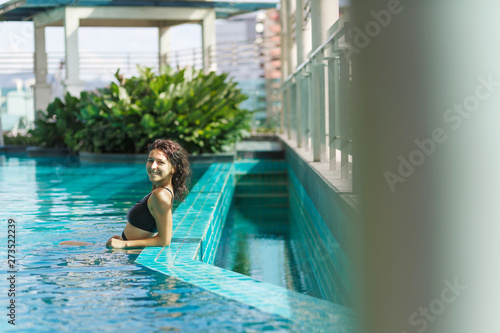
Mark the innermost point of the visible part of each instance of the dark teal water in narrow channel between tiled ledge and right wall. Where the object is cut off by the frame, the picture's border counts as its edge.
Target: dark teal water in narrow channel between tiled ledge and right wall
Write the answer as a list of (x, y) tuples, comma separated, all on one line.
[(256, 240)]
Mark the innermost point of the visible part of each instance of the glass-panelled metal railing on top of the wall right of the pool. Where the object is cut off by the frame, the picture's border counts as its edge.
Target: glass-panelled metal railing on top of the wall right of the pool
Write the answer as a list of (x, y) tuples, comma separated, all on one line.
[(316, 102)]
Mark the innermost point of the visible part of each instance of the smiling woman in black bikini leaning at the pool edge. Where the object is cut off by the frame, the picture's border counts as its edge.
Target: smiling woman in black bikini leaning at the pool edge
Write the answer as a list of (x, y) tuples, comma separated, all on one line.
[(150, 220)]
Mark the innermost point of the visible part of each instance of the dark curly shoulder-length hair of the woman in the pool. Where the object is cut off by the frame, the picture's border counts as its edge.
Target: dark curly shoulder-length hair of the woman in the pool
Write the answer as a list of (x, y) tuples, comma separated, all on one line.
[(178, 157)]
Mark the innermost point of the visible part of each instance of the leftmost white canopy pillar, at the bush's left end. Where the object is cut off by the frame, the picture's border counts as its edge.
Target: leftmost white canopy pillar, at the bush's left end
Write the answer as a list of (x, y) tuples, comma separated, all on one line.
[(42, 90)]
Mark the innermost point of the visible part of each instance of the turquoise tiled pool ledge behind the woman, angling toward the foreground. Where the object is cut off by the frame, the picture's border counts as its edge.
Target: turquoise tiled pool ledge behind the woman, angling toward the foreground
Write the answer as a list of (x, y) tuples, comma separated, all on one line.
[(198, 222)]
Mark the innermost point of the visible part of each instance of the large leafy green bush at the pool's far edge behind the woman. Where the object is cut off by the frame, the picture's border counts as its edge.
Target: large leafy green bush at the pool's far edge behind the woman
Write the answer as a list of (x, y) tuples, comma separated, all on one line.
[(200, 111)]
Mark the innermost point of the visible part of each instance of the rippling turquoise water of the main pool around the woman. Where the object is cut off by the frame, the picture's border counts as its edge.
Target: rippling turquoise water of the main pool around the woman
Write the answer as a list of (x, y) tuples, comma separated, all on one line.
[(88, 289)]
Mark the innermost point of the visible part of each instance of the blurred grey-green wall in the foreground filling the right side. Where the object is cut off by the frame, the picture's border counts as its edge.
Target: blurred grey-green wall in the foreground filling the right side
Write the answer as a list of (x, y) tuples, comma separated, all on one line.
[(426, 78)]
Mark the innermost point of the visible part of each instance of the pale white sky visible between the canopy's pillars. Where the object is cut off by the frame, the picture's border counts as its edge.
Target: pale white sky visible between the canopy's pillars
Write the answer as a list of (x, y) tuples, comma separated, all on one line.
[(18, 37)]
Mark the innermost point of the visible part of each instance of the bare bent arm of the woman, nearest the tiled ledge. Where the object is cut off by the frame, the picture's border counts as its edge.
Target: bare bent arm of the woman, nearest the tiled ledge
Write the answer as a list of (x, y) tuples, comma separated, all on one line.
[(161, 208)]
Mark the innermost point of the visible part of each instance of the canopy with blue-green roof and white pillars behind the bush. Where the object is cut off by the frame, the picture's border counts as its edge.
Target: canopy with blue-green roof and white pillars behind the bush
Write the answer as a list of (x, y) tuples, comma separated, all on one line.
[(72, 14)]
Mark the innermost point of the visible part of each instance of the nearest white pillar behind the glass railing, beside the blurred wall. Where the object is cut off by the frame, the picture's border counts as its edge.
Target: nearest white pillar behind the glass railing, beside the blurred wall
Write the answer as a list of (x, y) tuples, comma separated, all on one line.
[(324, 13)]
